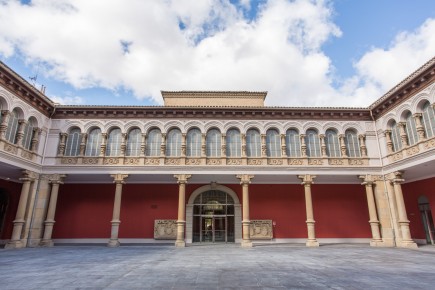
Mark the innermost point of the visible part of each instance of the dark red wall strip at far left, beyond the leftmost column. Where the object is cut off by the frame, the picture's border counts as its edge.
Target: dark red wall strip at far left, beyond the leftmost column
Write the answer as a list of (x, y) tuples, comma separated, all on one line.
[(13, 190)]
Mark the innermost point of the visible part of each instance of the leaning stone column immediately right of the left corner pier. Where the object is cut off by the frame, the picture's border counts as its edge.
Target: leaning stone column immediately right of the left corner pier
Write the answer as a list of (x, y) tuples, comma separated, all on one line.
[(55, 180)]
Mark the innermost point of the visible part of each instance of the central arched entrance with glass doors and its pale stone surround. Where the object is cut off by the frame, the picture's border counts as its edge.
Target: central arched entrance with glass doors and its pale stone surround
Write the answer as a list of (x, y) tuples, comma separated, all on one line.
[(213, 215)]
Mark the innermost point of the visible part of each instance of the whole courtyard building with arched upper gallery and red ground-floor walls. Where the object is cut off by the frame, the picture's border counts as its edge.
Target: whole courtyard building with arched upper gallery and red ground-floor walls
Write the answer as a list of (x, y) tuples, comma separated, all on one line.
[(217, 167)]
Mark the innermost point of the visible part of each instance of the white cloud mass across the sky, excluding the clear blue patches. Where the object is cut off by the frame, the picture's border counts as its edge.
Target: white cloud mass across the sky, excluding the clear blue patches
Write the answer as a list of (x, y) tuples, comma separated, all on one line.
[(203, 45)]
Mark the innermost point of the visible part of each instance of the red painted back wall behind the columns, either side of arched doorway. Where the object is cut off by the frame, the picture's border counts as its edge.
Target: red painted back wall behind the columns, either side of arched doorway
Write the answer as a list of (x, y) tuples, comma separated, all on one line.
[(85, 211)]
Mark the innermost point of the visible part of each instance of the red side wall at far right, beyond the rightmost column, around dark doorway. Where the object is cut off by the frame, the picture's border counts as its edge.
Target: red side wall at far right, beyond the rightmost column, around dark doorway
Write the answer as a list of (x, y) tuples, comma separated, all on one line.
[(411, 192)]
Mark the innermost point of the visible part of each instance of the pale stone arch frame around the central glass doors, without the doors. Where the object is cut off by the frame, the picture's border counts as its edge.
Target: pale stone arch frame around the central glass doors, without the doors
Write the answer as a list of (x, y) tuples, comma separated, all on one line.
[(237, 210)]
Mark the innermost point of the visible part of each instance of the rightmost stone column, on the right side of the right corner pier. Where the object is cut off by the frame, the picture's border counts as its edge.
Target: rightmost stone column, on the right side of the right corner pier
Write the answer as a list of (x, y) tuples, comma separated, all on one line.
[(407, 241)]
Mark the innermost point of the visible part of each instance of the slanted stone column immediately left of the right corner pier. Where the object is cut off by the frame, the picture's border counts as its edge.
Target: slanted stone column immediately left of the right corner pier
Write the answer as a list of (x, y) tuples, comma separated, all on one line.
[(374, 222)]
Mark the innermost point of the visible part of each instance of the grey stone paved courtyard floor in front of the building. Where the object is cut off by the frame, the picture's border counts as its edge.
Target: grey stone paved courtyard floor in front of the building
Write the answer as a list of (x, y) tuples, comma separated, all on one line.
[(218, 267)]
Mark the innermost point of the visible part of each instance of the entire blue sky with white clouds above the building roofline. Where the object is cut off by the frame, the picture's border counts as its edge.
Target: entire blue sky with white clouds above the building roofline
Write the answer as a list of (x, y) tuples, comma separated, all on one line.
[(303, 52)]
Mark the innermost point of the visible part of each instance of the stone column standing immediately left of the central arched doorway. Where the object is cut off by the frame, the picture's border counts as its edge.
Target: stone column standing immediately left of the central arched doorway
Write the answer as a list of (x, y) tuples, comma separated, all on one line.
[(181, 221)]
